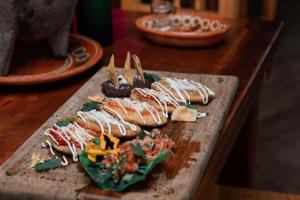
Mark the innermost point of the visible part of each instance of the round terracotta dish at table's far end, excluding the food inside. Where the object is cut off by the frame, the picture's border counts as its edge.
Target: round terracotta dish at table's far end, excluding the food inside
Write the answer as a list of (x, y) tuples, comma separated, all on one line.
[(184, 39)]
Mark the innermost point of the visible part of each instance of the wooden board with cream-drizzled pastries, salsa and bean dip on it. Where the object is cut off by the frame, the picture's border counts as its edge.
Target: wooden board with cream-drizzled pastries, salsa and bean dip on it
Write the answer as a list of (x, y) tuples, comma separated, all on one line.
[(152, 140)]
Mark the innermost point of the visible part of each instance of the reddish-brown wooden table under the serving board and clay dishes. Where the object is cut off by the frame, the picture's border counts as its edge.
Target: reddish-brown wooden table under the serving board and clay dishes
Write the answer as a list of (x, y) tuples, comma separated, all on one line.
[(246, 53)]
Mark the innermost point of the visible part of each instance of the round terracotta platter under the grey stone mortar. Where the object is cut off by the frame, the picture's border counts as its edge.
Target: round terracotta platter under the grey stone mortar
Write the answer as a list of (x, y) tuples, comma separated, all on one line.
[(35, 64)]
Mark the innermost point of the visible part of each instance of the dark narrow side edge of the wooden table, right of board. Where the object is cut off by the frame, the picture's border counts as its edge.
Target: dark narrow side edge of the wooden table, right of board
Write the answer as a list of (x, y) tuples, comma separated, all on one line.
[(234, 125)]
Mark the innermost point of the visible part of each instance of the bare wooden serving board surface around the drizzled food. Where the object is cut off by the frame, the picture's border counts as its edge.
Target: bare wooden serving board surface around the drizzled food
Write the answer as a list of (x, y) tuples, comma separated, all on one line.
[(178, 178)]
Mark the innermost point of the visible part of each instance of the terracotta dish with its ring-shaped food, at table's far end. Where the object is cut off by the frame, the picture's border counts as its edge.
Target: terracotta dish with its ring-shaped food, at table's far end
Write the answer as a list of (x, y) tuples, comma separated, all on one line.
[(184, 28)]
